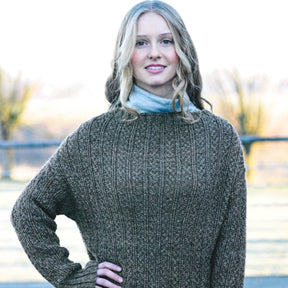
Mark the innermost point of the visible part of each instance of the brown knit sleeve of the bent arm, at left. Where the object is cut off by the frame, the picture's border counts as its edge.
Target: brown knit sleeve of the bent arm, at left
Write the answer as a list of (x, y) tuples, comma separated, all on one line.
[(33, 217)]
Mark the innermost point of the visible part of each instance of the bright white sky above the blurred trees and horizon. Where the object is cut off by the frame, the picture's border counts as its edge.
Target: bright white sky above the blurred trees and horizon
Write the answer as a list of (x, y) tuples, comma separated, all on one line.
[(65, 42)]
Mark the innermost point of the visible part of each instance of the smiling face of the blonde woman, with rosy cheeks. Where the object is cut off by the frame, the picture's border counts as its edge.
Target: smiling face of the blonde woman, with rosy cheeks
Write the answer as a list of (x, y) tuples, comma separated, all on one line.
[(154, 60)]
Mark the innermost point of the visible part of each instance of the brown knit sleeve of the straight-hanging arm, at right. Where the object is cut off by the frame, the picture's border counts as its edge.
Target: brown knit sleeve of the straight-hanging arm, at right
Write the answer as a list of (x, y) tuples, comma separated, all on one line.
[(228, 262)]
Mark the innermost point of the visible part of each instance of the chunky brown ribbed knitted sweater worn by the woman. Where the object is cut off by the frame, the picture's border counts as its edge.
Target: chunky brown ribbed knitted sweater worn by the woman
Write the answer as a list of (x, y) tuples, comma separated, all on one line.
[(163, 199)]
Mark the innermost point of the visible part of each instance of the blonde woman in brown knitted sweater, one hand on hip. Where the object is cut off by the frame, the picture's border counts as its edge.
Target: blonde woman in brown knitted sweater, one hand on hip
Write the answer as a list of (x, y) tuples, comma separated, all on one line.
[(156, 185)]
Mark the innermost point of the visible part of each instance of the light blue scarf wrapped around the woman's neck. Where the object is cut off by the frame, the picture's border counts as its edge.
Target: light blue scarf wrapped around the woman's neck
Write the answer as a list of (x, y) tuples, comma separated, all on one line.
[(147, 102)]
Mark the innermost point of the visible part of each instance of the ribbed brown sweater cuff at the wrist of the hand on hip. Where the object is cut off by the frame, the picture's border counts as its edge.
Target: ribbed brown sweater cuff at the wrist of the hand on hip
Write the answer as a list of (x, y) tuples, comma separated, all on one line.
[(84, 278)]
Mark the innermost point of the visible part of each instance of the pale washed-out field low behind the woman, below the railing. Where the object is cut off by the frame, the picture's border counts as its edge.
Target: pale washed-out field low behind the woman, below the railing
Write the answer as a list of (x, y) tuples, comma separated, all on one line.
[(267, 235)]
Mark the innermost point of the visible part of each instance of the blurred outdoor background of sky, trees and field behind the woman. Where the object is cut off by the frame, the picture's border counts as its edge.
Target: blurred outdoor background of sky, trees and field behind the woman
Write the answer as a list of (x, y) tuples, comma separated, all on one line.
[(54, 60)]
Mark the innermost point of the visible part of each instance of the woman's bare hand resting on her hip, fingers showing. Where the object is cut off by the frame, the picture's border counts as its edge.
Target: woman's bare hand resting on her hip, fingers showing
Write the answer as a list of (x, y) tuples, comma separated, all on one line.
[(105, 273)]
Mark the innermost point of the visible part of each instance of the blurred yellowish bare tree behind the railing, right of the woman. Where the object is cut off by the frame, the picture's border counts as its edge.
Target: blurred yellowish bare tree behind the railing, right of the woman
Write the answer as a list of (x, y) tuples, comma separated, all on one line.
[(241, 102)]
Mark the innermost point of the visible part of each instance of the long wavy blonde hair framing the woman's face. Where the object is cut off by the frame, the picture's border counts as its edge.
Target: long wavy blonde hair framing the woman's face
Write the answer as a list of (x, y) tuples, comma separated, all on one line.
[(187, 79)]
